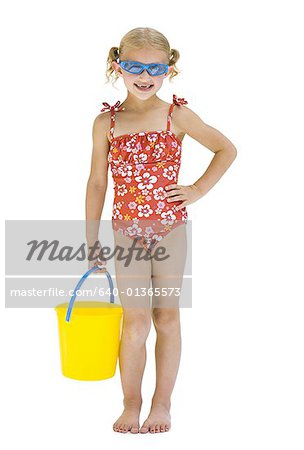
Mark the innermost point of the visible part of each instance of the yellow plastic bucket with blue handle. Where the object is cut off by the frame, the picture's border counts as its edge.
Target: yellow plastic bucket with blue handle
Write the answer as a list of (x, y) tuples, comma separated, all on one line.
[(90, 339)]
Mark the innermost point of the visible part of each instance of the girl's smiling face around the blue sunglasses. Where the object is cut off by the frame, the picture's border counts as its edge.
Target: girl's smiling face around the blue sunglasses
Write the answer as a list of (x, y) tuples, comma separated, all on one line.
[(145, 56)]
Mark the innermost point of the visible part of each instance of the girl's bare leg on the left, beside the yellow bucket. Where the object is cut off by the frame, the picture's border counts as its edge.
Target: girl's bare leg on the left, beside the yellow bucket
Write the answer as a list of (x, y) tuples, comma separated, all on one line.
[(133, 283)]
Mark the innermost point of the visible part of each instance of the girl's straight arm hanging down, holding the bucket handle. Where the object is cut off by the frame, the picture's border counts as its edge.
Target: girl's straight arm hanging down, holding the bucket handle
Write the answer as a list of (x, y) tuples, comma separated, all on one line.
[(98, 179)]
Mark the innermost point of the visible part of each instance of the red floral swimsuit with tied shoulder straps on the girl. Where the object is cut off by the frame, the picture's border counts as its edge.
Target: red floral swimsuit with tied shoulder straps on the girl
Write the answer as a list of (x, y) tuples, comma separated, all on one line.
[(142, 164)]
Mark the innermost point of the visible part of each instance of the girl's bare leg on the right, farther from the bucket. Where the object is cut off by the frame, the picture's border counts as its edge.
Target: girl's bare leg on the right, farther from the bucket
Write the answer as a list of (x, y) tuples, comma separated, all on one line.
[(166, 274)]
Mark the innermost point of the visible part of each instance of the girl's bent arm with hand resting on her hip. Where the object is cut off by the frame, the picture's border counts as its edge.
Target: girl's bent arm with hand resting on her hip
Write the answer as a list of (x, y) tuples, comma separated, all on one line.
[(225, 153)]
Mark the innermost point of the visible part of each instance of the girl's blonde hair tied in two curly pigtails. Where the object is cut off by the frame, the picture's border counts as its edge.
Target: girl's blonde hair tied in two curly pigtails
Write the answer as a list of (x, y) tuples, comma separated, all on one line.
[(139, 38)]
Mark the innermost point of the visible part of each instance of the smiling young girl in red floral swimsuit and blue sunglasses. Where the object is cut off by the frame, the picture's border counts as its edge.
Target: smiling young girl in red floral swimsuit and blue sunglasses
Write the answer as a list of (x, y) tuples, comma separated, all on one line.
[(141, 139)]
